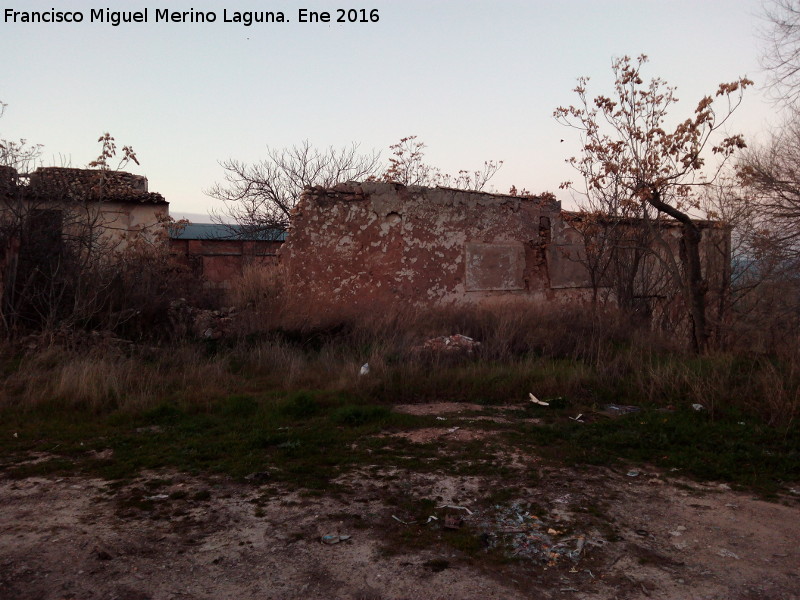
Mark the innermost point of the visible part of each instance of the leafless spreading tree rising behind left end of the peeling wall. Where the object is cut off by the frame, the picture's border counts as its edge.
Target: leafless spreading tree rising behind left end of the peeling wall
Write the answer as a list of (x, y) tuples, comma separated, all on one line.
[(259, 197)]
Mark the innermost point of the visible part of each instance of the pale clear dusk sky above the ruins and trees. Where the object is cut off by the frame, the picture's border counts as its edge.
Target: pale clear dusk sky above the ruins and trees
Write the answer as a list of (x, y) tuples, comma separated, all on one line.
[(475, 80)]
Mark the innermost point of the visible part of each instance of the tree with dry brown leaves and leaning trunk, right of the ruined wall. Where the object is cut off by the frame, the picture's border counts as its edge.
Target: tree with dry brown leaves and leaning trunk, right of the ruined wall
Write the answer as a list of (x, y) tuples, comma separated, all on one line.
[(633, 160)]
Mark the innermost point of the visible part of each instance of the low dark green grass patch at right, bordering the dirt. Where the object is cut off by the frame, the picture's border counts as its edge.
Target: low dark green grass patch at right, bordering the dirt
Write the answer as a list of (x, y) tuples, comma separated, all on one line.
[(746, 453)]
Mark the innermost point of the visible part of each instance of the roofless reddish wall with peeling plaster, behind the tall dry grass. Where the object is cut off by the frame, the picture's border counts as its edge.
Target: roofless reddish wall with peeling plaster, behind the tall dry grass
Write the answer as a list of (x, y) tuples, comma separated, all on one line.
[(375, 246)]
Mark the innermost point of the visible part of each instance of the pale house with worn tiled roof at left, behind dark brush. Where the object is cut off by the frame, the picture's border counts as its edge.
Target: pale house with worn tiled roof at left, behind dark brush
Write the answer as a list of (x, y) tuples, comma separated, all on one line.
[(61, 227)]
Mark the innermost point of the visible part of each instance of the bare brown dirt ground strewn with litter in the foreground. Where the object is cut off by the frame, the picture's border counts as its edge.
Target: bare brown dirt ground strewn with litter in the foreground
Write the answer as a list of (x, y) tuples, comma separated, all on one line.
[(594, 534)]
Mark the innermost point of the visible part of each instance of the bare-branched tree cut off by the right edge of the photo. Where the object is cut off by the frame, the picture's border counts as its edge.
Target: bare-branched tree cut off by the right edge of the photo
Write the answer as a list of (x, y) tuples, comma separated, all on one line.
[(766, 237)]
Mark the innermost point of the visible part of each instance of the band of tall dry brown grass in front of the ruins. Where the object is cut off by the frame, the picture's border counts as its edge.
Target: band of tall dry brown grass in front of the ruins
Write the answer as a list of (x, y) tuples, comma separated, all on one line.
[(590, 359)]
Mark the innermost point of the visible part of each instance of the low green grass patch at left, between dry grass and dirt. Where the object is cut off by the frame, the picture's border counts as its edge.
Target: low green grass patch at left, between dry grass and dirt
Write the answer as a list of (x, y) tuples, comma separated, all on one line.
[(306, 438)]
